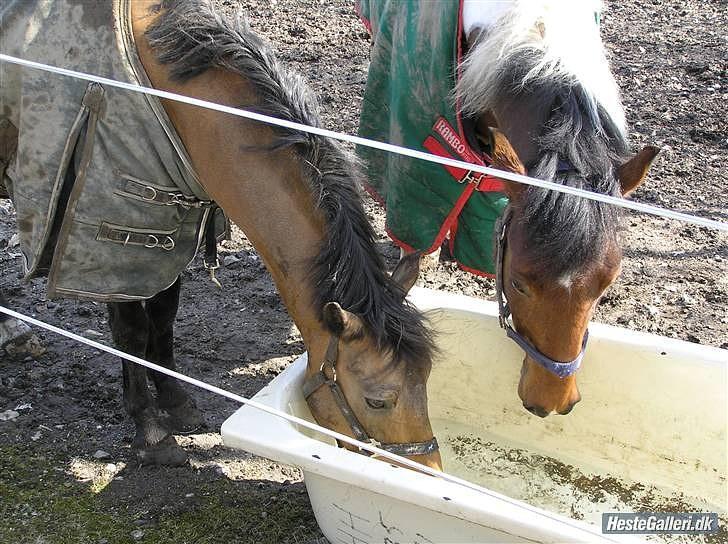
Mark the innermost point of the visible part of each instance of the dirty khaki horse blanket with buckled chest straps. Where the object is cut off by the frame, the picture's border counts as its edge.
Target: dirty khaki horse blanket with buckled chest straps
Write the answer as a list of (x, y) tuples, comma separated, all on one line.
[(108, 204)]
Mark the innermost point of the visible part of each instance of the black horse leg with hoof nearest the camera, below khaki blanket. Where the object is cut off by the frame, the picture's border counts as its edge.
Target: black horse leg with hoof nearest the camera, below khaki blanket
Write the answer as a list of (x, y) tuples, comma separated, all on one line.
[(153, 441)]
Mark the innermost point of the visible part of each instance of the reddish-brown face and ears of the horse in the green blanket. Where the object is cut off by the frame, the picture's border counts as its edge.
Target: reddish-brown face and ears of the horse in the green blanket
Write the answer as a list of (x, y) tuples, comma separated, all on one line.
[(551, 312)]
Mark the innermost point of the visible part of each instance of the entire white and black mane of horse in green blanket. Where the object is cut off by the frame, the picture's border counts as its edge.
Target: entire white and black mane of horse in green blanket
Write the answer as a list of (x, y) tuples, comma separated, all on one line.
[(548, 56)]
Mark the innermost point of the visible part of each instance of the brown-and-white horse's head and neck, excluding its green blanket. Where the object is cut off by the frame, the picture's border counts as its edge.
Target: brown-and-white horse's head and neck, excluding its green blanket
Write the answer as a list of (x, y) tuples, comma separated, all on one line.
[(541, 76)]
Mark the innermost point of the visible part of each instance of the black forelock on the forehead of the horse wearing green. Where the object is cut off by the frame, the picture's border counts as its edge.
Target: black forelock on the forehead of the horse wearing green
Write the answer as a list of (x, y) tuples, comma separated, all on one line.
[(565, 232)]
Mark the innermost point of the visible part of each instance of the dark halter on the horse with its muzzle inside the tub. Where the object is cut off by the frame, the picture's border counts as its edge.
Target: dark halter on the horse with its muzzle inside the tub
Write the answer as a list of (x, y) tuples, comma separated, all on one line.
[(312, 384)]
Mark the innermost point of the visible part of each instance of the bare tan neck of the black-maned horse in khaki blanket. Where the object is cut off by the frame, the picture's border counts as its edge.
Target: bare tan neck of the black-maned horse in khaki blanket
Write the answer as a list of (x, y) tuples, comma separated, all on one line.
[(263, 192)]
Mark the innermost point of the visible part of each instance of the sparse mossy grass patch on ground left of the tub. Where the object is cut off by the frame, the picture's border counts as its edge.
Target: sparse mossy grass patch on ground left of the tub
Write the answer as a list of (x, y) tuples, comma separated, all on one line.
[(41, 503)]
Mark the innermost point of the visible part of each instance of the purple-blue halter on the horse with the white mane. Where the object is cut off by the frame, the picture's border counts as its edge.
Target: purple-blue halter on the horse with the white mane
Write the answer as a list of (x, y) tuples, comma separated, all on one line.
[(559, 368)]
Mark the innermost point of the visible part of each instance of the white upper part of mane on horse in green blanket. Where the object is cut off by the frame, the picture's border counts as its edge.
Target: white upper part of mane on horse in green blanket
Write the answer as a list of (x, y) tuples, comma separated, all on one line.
[(562, 42)]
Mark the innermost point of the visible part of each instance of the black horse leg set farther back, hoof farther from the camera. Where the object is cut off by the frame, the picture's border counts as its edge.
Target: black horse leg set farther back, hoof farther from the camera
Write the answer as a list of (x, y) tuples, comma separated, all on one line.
[(184, 416)]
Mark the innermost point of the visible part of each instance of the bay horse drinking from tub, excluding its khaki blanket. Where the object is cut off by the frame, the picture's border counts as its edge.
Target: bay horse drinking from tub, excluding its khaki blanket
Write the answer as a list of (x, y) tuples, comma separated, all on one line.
[(296, 198)]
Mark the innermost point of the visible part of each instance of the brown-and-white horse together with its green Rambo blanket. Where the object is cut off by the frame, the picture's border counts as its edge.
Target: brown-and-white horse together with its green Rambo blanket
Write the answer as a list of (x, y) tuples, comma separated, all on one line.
[(530, 91)]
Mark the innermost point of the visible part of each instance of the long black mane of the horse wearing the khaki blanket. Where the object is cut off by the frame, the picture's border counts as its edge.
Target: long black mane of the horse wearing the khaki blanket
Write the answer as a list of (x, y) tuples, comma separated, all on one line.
[(190, 38)]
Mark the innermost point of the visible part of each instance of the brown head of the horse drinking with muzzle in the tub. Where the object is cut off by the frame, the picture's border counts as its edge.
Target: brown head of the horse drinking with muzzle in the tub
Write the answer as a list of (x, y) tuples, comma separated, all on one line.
[(364, 390)]
